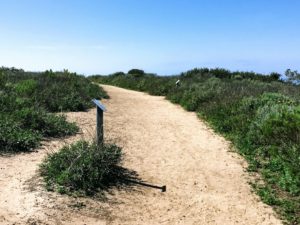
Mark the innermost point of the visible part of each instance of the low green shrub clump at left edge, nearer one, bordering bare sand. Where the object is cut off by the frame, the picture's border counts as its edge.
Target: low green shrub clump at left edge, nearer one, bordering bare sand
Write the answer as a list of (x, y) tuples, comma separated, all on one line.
[(23, 129)]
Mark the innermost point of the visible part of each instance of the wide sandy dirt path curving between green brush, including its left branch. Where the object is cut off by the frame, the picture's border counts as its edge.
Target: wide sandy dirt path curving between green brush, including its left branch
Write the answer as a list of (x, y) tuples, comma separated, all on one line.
[(206, 183)]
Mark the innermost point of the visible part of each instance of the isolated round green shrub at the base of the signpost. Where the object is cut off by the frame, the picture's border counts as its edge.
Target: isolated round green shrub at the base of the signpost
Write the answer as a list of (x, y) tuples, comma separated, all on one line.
[(82, 167)]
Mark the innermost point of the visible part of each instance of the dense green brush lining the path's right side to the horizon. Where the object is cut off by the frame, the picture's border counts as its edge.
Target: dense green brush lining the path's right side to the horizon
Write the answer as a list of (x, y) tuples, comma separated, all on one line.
[(260, 114)]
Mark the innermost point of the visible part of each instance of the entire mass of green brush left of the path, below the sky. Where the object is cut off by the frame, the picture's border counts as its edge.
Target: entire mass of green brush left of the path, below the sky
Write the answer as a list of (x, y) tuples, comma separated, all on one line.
[(28, 101)]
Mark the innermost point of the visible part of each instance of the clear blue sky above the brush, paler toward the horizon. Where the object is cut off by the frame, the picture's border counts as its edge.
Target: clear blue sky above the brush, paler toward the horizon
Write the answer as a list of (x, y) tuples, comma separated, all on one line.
[(159, 36)]
